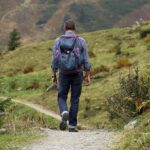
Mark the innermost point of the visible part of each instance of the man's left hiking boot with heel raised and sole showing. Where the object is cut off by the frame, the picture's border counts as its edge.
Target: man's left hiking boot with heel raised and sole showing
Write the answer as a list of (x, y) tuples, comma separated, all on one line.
[(63, 123)]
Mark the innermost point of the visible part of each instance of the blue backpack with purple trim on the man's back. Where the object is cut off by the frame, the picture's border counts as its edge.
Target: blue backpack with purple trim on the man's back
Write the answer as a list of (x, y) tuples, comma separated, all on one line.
[(69, 55)]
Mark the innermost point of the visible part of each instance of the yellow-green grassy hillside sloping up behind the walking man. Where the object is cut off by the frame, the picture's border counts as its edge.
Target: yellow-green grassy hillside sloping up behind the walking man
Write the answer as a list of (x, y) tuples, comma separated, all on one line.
[(26, 73)]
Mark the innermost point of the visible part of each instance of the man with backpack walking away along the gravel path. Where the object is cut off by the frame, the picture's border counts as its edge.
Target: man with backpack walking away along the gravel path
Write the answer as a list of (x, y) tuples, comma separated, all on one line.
[(70, 58)]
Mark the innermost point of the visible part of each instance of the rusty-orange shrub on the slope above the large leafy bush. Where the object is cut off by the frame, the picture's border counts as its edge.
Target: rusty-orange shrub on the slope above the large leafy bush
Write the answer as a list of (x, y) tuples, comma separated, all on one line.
[(123, 62)]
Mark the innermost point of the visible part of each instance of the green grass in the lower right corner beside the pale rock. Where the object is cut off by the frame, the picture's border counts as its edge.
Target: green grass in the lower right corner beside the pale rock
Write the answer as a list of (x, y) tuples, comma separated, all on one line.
[(138, 138)]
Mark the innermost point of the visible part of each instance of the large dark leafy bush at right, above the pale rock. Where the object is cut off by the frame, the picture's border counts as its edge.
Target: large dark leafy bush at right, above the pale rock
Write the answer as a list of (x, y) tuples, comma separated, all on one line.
[(132, 94)]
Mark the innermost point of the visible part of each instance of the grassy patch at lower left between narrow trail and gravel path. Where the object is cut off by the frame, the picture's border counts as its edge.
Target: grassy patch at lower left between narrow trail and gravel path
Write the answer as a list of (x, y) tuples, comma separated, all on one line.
[(21, 124)]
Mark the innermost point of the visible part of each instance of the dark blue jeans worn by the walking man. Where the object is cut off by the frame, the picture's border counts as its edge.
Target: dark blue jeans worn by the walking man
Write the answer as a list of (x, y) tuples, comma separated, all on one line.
[(65, 83)]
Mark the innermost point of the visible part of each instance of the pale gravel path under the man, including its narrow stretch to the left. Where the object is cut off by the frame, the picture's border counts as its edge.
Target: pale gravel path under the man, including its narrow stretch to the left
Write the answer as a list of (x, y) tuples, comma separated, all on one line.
[(64, 140)]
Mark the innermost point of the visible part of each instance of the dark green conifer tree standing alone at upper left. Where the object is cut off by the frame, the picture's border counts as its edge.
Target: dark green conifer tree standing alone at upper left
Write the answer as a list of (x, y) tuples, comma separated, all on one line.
[(14, 40)]
